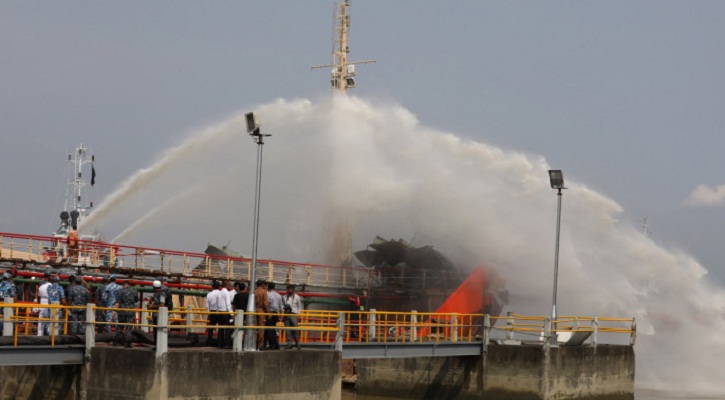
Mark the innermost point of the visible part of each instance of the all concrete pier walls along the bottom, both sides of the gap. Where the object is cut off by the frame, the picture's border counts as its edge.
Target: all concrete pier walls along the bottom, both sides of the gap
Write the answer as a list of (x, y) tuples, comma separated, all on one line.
[(502, 372)]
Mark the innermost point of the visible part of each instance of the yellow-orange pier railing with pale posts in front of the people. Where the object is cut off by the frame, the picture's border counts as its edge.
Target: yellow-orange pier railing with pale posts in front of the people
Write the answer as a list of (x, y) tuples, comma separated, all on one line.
[(335, 328)]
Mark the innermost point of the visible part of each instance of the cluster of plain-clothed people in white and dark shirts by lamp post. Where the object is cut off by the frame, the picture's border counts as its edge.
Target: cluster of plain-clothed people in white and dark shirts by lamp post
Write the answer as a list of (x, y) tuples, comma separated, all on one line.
[(225, 299)]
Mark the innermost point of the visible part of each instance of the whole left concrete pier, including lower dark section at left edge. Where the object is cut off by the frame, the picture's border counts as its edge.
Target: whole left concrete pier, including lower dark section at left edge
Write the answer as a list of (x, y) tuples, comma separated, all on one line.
[(118, 373)]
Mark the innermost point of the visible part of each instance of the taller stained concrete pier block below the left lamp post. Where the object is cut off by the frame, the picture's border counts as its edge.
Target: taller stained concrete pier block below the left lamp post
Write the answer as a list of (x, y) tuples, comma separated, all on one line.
[(194, 374)]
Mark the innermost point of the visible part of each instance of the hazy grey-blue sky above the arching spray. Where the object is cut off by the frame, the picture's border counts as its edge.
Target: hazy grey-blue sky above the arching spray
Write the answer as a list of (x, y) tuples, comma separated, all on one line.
[(625, 97)]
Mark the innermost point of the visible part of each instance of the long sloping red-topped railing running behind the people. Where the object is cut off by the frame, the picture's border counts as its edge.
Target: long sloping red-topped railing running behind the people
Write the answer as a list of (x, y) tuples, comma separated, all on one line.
[(93, 255)]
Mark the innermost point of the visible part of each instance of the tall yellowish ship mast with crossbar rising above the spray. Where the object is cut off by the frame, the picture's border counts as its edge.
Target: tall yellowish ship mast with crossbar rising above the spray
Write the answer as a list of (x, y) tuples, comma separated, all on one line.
[(343, 72)]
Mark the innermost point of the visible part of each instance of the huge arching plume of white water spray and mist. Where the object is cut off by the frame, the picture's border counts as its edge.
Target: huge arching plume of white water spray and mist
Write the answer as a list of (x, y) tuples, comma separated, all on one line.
[(374, 165)]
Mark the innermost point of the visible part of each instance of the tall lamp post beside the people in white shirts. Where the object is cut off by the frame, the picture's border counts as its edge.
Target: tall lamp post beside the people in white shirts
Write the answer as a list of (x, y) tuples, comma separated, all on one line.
[(253, 125)]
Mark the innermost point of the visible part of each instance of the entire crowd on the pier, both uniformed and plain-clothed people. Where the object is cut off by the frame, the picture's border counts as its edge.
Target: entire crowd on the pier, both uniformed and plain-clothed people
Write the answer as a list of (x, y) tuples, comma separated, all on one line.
[(222, 302)]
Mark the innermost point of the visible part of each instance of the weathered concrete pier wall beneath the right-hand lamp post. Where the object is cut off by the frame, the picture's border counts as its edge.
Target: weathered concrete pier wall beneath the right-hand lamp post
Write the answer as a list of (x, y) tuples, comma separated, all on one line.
[(506, 372)]
